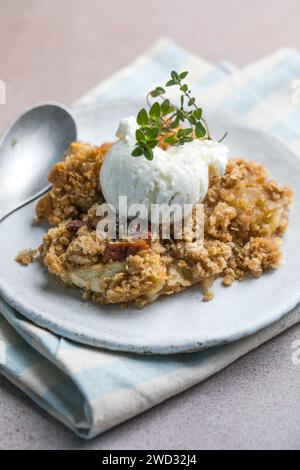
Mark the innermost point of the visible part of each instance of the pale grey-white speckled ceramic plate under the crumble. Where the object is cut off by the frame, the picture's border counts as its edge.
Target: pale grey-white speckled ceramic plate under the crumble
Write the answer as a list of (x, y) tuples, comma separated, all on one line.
[(178, 323)]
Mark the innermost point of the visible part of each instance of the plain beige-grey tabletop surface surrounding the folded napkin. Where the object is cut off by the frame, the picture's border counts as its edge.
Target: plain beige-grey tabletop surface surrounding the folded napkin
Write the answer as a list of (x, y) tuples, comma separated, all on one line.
[(57, 49)]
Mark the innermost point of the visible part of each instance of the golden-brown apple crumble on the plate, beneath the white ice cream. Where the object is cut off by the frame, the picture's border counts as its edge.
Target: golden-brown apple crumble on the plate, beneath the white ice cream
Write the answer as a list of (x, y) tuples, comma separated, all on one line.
[(245, 216)]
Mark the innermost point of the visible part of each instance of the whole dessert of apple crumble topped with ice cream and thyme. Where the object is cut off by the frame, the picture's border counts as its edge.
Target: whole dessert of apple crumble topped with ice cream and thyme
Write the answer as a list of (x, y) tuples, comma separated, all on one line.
[(158, 161)]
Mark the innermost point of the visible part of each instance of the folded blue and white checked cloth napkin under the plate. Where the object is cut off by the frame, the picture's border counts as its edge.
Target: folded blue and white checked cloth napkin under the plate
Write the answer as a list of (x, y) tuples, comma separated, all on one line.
[(91, 390)]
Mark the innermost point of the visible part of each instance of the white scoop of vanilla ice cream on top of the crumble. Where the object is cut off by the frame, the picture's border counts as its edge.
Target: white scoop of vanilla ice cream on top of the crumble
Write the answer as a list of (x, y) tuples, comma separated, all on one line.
[(178, 175)]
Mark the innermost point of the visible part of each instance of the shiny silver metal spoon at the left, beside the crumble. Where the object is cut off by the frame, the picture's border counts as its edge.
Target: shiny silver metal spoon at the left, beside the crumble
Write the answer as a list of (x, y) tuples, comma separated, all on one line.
[(28, 149)]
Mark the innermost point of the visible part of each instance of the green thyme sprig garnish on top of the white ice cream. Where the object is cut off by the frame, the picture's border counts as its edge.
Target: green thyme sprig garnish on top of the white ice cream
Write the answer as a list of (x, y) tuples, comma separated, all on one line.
[(163, 122)]
